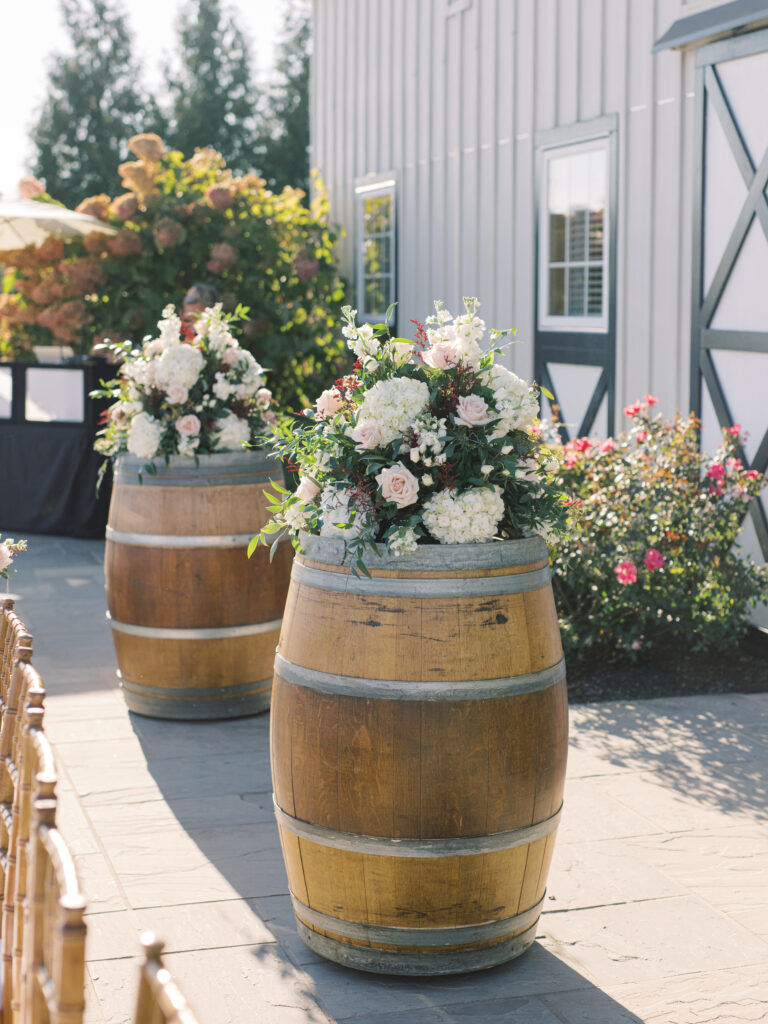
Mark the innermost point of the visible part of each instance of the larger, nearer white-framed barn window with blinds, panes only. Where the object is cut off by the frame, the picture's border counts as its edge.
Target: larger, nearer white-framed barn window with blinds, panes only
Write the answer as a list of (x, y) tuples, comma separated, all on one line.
[(574, 234)]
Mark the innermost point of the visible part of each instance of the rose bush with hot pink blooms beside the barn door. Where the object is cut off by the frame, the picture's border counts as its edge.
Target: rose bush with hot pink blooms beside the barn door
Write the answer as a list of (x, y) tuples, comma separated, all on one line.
[(654, 562)]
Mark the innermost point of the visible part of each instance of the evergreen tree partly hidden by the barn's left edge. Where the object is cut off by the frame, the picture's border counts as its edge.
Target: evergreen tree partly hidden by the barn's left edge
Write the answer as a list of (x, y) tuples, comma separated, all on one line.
[(283, 144)]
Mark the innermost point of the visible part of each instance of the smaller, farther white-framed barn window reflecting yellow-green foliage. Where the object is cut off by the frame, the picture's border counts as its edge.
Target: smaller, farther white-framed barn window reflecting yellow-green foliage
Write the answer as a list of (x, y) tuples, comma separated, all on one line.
[(376, 249)]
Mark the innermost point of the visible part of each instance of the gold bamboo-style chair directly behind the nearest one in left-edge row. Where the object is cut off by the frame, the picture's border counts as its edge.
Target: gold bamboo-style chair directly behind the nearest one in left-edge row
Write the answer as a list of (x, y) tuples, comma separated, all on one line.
[(36, 781)]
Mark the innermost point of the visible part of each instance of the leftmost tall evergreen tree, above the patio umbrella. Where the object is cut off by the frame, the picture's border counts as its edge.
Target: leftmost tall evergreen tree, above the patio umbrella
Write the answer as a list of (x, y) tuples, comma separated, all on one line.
[(94, 105)]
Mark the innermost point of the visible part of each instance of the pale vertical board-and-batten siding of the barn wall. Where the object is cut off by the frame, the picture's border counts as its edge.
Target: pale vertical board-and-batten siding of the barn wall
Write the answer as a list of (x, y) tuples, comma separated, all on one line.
[(453, 107)]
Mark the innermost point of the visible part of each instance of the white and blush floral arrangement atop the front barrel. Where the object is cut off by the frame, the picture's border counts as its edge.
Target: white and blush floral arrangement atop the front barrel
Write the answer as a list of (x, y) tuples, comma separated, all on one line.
[(426, 442)]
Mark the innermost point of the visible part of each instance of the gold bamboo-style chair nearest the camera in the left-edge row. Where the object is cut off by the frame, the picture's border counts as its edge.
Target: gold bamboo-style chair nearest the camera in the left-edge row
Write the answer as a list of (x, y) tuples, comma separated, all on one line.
[(54, 962)]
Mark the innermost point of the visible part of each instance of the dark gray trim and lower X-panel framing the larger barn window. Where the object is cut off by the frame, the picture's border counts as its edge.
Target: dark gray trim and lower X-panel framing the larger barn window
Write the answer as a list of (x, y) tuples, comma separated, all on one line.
[(595, 349)]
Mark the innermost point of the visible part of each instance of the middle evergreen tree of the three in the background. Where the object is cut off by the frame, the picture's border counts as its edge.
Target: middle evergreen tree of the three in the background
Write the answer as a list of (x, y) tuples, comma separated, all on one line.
[(214, 100)]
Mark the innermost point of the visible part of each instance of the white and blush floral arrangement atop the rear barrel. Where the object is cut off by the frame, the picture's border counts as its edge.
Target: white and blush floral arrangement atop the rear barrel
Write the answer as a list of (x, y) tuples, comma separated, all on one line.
[(188, 392)]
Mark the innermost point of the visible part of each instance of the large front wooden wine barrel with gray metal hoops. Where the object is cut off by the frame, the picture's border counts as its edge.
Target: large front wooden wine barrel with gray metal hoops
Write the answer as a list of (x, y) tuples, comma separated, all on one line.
[(419, 734)]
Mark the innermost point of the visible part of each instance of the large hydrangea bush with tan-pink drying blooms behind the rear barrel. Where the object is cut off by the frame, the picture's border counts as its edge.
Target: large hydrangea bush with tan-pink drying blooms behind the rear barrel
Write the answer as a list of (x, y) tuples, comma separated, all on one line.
[(184, 221)]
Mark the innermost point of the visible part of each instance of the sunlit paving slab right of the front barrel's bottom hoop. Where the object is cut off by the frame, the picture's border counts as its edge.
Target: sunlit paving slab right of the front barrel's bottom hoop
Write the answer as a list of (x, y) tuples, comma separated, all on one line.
[(654, 940)]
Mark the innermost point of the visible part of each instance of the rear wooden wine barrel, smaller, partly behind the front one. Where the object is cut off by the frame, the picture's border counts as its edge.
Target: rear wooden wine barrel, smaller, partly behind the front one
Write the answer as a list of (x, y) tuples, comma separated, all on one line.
[(195, 622)]
